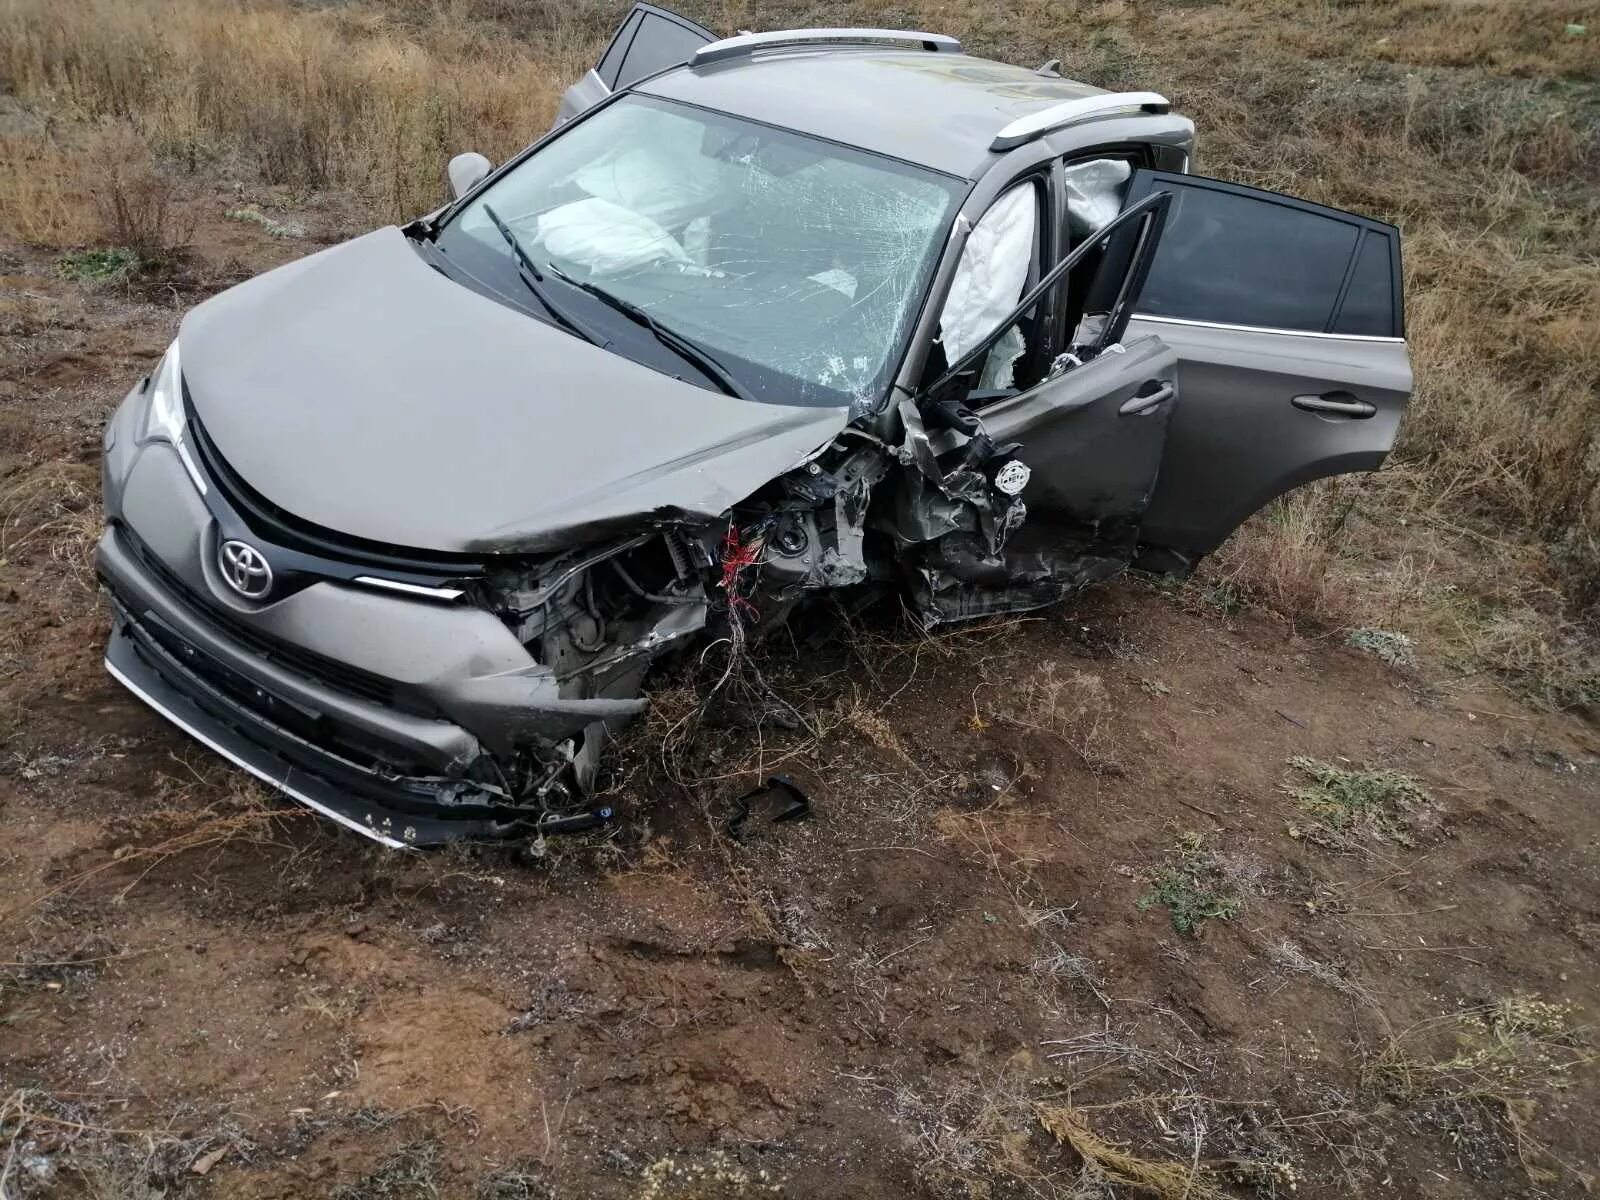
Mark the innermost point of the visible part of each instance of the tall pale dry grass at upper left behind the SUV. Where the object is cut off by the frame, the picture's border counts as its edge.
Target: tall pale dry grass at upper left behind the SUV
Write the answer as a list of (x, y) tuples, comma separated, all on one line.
[(310, 98)]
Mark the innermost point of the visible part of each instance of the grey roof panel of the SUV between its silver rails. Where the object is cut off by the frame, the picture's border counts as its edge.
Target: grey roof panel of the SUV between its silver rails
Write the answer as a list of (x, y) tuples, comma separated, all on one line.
[(940, 111)]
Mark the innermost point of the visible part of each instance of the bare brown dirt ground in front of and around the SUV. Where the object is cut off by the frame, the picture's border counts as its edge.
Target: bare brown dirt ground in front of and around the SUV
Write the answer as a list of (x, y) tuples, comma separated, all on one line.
[(1058, 924)]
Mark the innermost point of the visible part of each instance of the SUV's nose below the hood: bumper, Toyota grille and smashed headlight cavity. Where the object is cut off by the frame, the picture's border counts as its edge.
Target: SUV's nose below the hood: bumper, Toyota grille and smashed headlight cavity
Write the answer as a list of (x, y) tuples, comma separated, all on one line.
[(414, 698)]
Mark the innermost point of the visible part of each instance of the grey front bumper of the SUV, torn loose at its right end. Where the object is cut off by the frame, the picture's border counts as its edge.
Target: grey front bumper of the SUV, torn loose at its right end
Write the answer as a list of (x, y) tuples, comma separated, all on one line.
[(396, 718)]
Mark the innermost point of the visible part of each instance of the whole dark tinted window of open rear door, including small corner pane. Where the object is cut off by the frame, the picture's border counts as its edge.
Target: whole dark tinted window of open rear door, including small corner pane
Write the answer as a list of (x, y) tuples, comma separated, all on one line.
[(1242, 257)]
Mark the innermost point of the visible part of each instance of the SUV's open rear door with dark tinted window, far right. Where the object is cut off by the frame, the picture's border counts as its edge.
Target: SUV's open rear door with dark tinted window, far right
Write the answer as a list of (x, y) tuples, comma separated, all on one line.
[(1289, 327)]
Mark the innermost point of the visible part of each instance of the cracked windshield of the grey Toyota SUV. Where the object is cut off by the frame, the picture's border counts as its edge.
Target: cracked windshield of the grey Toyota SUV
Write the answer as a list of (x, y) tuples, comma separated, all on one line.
[(798, 263)]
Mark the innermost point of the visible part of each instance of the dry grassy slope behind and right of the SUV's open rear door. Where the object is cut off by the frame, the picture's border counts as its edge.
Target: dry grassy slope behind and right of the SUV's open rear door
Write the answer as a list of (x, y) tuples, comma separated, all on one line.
[(1476, 129)]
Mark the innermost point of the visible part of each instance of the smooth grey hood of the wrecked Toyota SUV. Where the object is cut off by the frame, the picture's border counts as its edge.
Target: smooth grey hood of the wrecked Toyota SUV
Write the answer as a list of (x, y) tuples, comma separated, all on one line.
[(362, 391)]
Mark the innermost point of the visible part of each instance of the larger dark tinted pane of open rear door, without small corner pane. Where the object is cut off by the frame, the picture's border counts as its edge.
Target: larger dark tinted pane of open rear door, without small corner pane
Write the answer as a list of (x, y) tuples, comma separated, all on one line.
[(1247, 260)]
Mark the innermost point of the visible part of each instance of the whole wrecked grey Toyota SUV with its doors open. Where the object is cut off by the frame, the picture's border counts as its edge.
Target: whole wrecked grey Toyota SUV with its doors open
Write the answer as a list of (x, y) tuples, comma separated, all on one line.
[(404, 526)]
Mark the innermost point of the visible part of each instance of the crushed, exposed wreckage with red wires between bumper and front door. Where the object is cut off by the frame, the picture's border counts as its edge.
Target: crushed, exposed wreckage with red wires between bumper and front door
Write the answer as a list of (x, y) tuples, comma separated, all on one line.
[(858, 514)]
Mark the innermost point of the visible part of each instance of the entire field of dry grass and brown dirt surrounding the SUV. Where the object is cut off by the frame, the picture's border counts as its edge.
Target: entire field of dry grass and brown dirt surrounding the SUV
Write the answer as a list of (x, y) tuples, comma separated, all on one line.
[(1279, 882)]
